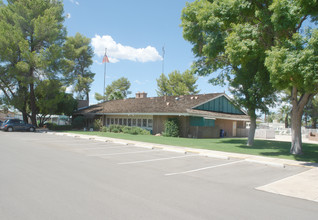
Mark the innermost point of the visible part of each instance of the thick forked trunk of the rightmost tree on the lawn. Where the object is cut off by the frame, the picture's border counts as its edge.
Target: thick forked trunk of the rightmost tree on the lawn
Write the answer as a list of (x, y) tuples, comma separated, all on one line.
[(296, 114)]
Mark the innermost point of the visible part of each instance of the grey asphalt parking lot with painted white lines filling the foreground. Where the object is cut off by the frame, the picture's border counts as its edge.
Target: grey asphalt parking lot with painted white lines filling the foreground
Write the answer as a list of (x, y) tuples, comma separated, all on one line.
[(45, 176)]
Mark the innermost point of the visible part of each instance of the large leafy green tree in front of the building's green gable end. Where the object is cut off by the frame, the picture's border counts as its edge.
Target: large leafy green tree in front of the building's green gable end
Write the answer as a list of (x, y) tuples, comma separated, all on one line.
[(230, 38)]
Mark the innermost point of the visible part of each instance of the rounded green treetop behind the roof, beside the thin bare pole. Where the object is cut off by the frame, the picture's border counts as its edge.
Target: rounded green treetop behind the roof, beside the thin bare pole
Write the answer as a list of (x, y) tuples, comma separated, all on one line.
[(177, 84)]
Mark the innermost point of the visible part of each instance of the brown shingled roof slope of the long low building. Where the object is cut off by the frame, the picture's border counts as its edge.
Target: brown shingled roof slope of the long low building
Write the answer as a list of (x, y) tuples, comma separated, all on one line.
[(163, 104)]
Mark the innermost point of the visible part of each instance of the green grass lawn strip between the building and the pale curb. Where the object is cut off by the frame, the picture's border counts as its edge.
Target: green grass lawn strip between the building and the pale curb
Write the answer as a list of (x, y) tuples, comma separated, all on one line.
[(267, 148)]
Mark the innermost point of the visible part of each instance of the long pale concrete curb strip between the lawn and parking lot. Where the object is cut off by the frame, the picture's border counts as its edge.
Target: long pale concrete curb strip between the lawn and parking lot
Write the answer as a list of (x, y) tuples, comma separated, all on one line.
[(274, 162)]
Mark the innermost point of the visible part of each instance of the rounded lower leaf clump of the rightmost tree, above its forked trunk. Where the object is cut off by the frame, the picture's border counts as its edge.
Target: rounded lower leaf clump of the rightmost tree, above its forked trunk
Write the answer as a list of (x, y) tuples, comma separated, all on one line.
[(295, 63)]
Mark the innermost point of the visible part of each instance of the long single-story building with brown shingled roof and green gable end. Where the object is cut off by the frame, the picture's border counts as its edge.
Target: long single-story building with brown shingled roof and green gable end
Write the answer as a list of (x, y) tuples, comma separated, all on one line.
[(200, 116)]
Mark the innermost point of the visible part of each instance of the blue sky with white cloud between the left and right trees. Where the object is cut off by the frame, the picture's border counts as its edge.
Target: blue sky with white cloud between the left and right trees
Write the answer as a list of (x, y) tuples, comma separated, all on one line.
[(134, 33)]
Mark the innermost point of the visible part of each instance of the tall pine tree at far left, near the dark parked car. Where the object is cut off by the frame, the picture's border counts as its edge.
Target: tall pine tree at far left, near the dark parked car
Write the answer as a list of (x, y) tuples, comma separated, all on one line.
[(34, 35)]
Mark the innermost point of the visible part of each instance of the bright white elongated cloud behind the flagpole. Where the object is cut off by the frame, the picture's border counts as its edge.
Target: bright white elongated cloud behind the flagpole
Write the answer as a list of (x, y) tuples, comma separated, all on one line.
[(117, 51)]
